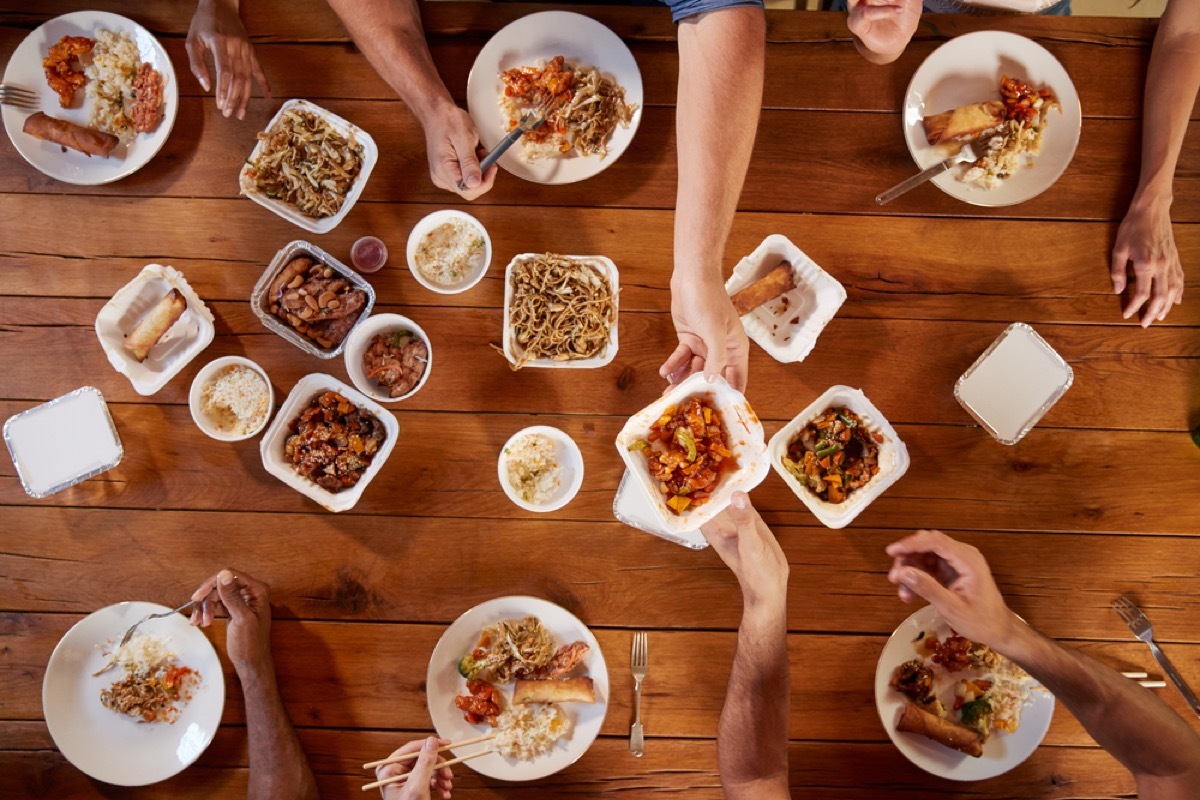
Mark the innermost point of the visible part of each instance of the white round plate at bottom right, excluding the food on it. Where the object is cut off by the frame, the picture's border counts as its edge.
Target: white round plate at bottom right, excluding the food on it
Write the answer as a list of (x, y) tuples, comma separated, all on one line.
[(1003, 753)]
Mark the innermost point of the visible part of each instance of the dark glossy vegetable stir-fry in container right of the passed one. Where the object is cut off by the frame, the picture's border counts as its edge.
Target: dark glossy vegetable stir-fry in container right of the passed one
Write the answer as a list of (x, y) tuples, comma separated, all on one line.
[(835, 455)]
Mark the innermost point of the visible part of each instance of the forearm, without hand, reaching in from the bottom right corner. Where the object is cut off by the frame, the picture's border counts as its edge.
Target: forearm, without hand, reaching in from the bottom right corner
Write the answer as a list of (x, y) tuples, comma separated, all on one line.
[(1136, 727)]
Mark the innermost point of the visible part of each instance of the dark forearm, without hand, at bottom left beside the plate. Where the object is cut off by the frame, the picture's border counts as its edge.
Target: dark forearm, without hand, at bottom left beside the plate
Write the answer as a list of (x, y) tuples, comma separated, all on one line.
[(279, 769)]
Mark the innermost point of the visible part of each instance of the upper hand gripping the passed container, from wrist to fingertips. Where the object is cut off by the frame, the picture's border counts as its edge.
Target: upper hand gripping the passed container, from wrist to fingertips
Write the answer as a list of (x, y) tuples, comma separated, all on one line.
[(711, 335)]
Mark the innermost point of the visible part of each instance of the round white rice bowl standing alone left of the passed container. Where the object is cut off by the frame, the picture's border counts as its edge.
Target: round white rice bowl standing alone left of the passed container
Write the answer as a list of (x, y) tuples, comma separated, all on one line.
[(541, 468)]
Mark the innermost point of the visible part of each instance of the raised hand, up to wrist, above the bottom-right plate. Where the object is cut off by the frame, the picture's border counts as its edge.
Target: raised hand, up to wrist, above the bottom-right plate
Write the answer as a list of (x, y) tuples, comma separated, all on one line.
[(957, 581)]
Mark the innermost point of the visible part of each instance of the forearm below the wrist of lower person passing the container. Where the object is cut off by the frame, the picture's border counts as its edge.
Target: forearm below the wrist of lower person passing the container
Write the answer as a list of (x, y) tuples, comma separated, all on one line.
[(752, 738)]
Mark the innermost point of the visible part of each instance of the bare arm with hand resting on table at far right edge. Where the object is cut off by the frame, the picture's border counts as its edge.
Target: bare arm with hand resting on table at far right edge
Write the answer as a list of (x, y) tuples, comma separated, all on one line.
[(1145, 242)]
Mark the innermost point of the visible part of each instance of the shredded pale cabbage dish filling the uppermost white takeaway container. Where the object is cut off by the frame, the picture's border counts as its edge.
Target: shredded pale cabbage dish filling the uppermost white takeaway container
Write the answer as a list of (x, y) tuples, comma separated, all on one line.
[(307, 164)]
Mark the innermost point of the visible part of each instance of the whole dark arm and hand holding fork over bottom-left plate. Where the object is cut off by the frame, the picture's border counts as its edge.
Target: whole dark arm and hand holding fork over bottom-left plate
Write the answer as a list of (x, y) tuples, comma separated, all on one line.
[(279, 769)]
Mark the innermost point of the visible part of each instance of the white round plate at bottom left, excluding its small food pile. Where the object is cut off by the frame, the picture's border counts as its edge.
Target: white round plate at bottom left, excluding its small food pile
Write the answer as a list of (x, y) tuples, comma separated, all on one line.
[(118, 749)]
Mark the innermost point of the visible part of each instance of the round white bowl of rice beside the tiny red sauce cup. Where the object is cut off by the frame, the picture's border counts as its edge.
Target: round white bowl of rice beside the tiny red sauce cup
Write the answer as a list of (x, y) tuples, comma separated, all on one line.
[(449, 251)]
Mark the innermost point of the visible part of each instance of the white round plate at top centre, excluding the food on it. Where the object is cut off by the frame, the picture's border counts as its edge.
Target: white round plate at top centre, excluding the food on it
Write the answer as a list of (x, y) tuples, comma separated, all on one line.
[(544, 35)]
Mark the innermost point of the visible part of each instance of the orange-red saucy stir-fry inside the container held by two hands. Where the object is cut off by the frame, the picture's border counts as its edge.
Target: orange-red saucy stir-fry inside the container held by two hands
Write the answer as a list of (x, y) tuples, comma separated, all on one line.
[(687, 453)]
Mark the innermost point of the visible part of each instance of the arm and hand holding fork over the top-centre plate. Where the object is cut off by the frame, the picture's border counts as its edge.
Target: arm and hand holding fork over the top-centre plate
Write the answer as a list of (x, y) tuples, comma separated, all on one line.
[(389, 33)]
